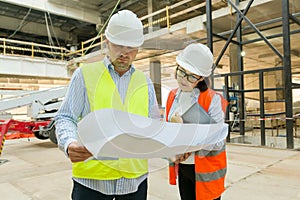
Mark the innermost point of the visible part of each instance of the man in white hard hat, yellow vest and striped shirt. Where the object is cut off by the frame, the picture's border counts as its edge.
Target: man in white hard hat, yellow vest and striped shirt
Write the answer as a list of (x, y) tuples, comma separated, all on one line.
[(111, 83)]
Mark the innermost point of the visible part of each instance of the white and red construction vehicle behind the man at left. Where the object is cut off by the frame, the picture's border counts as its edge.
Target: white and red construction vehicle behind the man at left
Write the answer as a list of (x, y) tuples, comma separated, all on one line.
[(42, 107)]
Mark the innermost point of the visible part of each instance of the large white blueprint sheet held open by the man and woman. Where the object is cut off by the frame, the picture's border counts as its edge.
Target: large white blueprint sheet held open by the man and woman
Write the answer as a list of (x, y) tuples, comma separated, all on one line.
[(113, 133)]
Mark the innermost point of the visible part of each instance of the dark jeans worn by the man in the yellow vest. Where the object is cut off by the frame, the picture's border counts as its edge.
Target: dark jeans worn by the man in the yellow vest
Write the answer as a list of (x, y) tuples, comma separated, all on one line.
[(81, 192)]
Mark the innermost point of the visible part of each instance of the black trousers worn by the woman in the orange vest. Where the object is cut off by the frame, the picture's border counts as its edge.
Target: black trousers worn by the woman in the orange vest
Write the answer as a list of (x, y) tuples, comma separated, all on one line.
[(187, 183)]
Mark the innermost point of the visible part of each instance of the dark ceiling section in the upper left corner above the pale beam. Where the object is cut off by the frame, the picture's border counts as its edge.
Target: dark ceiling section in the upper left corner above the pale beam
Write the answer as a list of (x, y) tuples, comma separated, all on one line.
[(22, 23)]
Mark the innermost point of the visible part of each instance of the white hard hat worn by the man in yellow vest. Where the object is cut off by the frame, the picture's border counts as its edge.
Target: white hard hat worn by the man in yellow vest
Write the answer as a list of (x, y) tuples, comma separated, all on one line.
[(124, 28)]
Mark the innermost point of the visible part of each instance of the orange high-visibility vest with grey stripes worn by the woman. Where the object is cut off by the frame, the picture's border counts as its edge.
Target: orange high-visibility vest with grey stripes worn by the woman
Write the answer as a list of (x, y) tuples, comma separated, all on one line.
[(210, 166)]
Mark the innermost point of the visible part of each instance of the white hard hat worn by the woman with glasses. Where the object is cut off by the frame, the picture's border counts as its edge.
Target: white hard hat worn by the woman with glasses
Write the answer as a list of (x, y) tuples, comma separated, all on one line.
[(196, 58)]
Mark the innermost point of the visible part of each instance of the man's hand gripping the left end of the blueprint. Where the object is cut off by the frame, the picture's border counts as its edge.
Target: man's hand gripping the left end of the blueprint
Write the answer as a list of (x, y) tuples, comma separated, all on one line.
[(77, 152)]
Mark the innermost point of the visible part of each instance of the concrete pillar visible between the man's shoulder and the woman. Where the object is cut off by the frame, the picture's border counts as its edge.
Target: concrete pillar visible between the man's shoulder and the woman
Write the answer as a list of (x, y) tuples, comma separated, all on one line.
[(155, 75)]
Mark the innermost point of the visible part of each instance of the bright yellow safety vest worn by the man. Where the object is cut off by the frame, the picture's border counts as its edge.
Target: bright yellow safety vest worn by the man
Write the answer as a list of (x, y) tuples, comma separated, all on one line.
[(103, 93)]
